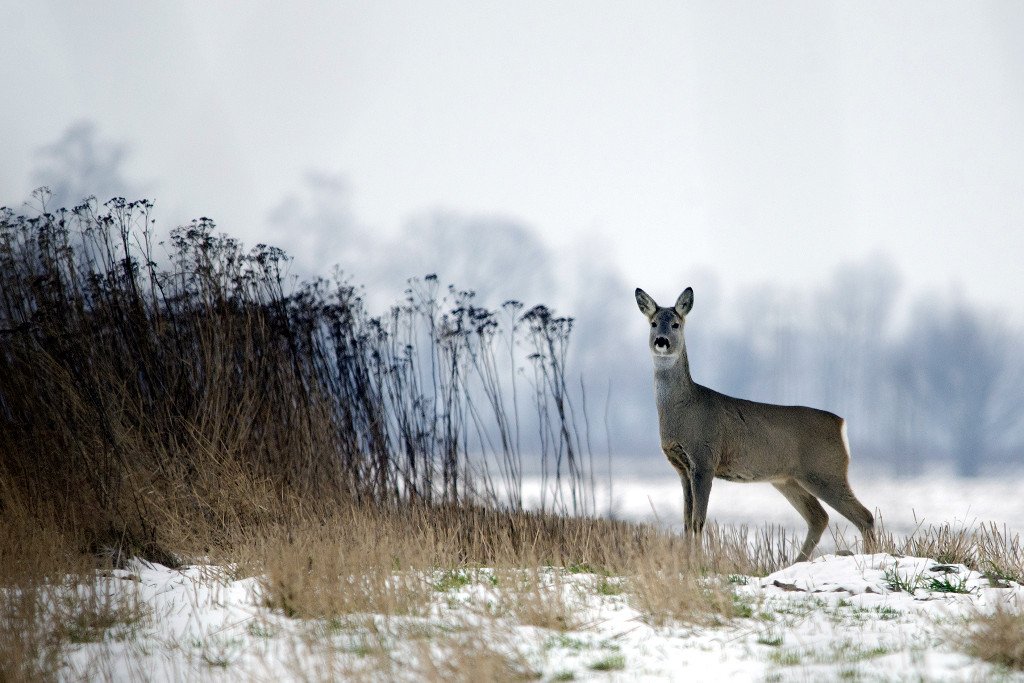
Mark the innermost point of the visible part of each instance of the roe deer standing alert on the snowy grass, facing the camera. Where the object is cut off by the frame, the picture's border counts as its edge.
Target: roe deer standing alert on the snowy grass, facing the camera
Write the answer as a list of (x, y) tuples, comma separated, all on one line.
[(803, 452)]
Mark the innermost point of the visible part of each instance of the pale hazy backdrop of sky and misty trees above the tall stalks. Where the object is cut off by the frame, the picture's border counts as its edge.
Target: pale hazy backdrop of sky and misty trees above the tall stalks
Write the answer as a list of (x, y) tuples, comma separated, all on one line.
[(843, 187)]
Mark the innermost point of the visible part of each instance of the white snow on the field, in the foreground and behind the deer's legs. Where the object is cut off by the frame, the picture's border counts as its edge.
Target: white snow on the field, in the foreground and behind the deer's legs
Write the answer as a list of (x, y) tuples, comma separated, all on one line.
[(838, 618)]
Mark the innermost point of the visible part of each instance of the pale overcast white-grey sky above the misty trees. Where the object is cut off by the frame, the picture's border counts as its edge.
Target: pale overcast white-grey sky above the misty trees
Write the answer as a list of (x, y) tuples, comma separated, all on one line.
[(762, 142)]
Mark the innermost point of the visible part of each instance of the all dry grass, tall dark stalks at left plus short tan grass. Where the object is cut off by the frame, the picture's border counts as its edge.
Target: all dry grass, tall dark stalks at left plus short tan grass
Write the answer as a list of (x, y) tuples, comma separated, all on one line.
[(203, 414)]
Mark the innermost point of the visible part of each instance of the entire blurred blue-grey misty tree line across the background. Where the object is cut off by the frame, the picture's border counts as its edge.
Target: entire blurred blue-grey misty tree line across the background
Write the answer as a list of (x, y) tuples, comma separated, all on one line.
[(930, 385)]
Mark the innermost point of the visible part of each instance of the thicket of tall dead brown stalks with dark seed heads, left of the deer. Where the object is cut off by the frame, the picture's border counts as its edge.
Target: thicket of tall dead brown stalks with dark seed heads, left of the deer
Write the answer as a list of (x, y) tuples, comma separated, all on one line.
[(145, 407)]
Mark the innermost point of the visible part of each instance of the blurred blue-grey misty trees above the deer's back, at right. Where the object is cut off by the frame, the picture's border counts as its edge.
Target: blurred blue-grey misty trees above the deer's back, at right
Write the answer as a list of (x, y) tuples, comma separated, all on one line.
[(944, 385)]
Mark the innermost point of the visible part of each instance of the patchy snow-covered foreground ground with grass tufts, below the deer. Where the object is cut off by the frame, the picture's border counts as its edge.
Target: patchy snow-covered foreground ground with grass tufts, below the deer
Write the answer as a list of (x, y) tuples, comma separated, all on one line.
[(860, 618)]
